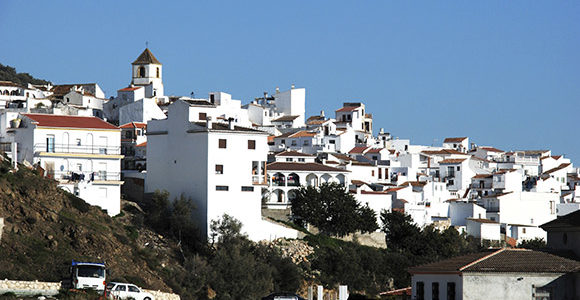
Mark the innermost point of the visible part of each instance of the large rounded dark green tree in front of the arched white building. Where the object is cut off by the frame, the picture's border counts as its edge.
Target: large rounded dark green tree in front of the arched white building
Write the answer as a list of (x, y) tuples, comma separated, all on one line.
[(332, 210)]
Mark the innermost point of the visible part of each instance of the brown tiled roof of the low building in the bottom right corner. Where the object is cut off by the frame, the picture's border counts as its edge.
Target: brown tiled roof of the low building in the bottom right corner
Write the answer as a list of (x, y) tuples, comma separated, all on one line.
[(501, 261)]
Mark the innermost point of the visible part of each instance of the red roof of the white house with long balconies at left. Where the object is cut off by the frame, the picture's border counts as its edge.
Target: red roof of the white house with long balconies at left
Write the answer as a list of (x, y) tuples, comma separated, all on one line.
[(69, 121)]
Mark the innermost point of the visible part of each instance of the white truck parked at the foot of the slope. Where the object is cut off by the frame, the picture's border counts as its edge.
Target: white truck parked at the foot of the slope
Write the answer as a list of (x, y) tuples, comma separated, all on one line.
[(88, 275)]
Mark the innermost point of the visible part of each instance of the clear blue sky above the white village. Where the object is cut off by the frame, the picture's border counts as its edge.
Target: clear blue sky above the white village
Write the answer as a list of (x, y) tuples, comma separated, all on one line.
[(505, 73)]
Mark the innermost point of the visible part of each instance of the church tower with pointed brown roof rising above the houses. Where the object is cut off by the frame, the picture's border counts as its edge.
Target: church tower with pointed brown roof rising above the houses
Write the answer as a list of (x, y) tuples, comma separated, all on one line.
[(147, 71)]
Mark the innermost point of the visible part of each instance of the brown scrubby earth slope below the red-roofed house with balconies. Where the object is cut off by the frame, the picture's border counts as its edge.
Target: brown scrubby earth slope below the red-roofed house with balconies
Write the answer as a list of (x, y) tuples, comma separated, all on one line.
[(46, 227)]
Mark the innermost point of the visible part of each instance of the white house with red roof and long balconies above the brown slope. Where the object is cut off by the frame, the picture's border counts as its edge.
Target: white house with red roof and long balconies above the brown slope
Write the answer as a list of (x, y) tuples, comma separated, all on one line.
[(82, 153)]
